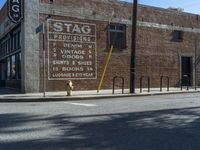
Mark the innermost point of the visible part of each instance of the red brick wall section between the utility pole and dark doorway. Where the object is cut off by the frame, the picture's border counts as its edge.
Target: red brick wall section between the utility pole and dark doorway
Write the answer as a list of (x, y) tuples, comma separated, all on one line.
[(157, 55)]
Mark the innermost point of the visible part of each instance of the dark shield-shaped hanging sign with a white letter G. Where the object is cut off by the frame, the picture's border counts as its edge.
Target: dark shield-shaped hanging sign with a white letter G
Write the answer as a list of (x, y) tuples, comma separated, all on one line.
[(15, 10)]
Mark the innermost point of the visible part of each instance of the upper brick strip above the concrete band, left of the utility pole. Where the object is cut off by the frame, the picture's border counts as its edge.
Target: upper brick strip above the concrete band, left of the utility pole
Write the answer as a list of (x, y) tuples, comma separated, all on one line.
[(101, 7)]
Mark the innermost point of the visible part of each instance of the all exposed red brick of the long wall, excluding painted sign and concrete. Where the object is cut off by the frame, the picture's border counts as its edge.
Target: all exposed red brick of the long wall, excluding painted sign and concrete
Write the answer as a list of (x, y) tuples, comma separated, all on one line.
[(156, 53)]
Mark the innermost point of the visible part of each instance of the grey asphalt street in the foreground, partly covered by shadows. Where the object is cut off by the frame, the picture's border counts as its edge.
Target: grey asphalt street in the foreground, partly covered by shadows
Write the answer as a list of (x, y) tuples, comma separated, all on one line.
[(169, 122)]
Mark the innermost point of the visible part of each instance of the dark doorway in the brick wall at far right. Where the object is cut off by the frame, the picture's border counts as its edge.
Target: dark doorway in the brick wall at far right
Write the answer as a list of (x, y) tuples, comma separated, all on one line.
[(186, 74)]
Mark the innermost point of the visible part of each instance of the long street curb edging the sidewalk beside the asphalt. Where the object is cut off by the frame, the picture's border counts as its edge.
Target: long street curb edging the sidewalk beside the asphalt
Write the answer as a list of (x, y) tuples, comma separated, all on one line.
[(76, 98)]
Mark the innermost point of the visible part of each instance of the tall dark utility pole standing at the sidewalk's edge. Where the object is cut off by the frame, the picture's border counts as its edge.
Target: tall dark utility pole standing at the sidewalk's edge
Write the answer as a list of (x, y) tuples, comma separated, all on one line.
[(133, 48)]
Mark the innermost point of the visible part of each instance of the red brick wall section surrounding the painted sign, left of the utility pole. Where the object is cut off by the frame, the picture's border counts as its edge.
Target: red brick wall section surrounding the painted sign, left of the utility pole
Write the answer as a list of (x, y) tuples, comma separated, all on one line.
[(119, 64)]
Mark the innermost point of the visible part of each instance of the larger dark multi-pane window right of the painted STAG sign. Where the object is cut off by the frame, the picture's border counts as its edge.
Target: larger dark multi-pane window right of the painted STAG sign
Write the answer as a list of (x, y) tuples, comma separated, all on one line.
[(117, 35)]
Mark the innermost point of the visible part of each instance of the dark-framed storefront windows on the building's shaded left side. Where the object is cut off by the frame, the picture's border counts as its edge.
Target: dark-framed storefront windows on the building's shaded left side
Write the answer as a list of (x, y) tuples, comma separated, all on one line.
[(10, 59)]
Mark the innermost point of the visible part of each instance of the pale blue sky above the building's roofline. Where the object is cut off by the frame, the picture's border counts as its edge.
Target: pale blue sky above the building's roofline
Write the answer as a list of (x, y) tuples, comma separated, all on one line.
[(192, 6)]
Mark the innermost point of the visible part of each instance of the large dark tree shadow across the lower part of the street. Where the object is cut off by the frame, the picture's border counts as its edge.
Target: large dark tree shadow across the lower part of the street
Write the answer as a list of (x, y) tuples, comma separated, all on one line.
[(175, 129)]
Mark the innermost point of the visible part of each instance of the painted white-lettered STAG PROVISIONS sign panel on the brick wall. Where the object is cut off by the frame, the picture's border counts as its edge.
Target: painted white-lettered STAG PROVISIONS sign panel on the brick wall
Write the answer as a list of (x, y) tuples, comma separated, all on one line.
[(71, 50)]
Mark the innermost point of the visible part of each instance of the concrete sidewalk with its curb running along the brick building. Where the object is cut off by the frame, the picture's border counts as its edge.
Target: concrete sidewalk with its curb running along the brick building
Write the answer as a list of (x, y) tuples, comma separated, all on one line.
[(86, 95)]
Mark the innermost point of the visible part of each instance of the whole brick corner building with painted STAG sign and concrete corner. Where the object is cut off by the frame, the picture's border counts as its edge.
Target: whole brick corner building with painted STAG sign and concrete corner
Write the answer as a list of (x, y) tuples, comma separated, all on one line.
[(78, 36)]
